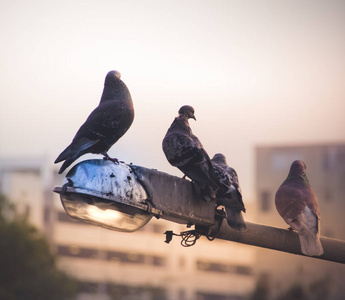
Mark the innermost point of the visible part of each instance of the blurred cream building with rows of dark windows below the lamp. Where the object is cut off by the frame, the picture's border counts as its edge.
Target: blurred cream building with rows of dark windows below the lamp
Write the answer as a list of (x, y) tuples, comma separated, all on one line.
[(139, 265)]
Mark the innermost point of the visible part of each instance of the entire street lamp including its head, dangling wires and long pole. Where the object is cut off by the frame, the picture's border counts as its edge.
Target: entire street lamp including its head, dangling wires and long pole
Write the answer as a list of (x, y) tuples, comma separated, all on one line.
[(125, 197)]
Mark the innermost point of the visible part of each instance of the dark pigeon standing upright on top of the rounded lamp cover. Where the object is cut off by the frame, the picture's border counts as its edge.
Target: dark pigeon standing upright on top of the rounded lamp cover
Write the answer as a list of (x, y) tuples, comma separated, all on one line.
[(106, 124)]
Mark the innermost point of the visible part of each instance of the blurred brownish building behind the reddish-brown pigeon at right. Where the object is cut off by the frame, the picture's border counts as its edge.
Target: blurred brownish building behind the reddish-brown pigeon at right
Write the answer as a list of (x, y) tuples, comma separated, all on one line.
[(326, 174)]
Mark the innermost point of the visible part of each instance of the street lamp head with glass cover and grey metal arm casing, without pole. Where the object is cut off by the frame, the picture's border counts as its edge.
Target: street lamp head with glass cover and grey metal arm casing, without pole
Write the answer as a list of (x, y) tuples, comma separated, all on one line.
[(125, 197)]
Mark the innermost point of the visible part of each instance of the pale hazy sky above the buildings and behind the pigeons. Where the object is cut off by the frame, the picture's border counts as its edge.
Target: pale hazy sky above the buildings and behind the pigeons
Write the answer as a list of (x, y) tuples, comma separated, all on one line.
[(256, 72)]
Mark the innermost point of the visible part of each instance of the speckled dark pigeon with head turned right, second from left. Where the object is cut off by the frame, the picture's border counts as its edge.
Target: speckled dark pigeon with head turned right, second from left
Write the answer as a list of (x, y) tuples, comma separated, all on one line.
[(184, 151)]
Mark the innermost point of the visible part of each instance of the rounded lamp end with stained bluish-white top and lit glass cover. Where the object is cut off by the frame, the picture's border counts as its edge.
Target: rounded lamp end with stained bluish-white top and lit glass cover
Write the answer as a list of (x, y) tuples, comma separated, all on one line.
[(105, 194)]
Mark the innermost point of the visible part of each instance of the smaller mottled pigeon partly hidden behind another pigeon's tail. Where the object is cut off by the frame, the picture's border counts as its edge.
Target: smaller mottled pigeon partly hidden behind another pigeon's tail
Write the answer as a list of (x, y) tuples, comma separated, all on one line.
[(231, 198)]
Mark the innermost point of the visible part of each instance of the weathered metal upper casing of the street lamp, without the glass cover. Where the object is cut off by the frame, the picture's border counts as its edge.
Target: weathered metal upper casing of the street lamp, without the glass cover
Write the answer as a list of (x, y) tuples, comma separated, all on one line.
[(157, 193)]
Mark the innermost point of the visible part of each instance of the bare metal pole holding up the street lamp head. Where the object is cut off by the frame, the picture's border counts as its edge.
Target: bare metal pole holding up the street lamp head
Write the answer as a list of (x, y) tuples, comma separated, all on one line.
[(278, 239)]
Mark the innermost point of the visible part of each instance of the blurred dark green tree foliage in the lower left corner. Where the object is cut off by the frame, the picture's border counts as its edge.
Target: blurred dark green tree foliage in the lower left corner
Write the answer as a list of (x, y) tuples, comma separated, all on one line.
[(28, 269)]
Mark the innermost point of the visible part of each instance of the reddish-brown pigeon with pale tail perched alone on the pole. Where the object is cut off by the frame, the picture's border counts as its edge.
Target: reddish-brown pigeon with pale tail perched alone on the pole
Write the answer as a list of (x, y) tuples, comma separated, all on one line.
[(297, 204)]
